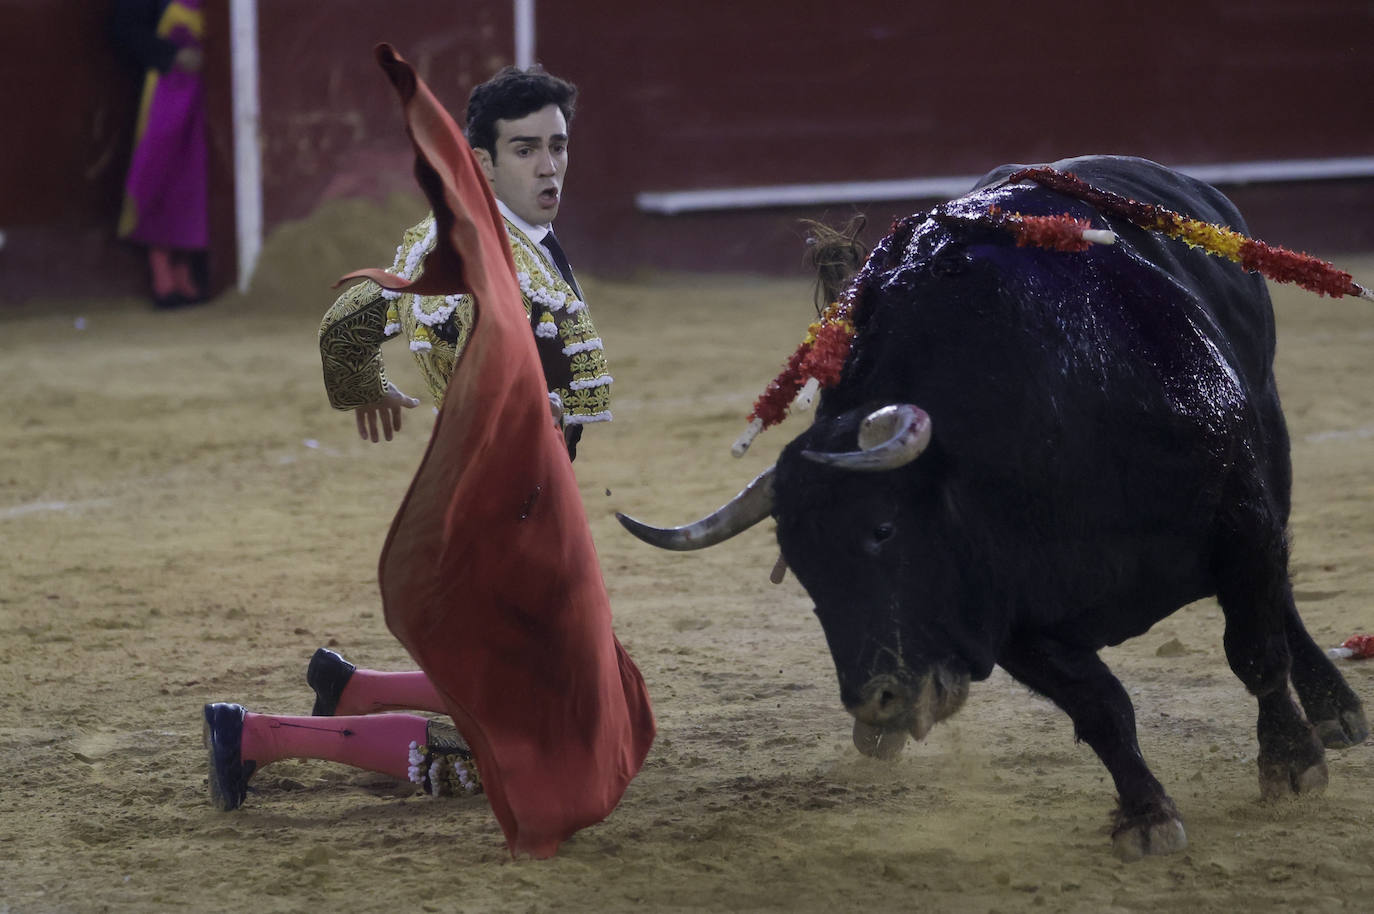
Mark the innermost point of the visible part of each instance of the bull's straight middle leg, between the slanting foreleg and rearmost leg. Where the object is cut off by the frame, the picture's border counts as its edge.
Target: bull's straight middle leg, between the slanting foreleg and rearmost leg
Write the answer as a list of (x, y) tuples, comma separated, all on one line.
[(1257, 600)]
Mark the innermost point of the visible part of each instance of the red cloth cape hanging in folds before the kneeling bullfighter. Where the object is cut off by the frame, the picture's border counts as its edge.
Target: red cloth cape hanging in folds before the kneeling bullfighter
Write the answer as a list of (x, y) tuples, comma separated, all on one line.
[(488, 575)]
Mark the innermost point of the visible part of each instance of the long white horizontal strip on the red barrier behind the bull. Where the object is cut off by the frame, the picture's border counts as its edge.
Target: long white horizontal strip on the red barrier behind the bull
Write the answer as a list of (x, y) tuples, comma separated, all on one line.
[(725, 199)]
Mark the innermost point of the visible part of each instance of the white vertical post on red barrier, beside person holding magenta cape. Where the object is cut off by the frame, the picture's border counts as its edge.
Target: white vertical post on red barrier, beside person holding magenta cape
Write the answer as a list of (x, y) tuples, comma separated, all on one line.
[(248, 153)]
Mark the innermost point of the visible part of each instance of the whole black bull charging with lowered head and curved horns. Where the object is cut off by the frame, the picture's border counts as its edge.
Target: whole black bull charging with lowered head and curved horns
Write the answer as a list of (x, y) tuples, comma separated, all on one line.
[(1103, 443)]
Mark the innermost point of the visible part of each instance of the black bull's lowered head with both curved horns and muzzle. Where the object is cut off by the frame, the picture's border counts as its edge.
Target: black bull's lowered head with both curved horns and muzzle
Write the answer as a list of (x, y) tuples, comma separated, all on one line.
[(850, 528)]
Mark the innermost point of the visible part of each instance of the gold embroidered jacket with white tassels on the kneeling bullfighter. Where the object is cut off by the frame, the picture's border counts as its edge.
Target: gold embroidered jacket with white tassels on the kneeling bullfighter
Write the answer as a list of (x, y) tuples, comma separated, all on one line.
[(438, 328)]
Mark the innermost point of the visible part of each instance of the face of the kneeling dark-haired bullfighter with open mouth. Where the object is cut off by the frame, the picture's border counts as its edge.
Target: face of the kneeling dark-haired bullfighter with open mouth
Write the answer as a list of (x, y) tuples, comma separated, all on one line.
[(531, 164)]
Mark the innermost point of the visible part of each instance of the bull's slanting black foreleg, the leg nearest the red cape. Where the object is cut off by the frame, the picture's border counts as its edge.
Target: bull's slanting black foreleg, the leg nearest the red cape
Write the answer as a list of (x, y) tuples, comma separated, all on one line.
[(1077, 680)]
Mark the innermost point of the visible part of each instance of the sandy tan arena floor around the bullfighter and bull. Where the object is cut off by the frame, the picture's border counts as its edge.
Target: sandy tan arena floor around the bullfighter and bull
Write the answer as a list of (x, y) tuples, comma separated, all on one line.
[(186, 520)]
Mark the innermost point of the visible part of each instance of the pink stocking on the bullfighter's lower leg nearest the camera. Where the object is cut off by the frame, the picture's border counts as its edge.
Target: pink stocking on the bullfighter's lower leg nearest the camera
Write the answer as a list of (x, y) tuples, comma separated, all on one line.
[(379, 743)]
